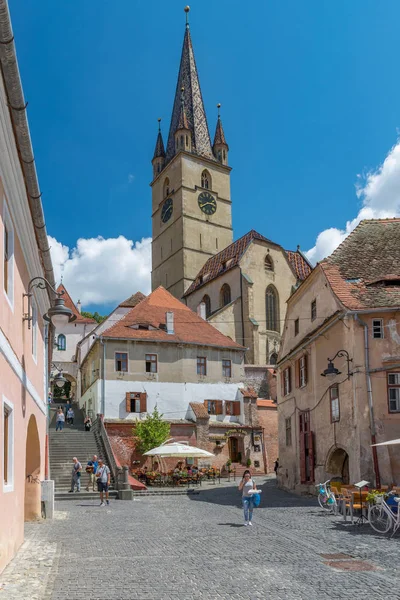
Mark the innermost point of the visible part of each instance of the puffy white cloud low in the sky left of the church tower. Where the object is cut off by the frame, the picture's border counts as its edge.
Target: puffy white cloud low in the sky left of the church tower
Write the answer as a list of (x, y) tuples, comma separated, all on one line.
[(103, 271)]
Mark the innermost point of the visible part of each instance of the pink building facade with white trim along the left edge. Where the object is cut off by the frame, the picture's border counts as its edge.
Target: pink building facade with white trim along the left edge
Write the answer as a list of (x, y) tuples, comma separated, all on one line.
[(24, 254)]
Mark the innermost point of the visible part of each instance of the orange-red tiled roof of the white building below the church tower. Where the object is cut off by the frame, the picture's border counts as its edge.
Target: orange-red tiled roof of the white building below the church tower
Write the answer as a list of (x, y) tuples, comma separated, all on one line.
[(188, 326)]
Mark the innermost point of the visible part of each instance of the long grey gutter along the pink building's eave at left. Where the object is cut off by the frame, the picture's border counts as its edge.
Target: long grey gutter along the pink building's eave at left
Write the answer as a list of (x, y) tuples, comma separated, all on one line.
[(17, 109)]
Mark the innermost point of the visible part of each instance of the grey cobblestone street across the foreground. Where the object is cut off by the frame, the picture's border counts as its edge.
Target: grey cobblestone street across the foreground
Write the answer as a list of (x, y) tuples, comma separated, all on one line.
[(187, 548)]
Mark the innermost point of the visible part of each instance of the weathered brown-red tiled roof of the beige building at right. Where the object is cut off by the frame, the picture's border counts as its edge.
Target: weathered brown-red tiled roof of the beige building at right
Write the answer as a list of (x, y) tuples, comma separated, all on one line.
[(362, 270)]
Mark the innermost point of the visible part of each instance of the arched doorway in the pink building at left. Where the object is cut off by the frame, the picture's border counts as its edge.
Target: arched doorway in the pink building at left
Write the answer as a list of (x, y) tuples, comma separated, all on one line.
[(32, 472)]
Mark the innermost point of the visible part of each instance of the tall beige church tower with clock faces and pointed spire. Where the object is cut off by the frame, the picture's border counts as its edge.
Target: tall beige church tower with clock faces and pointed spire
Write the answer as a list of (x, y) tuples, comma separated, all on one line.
[(191, 201)]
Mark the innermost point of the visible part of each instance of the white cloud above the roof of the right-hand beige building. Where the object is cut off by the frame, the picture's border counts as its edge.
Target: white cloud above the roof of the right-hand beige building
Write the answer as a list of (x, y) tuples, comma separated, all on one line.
[(379, 191)]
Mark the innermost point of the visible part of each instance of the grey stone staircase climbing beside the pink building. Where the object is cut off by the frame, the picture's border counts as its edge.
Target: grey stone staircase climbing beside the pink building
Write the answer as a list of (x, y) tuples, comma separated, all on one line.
[(63, 446)]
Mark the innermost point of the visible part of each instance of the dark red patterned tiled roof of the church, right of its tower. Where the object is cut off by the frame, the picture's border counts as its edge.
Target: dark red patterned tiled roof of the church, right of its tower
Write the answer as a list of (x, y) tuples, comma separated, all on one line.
[(230, 257)]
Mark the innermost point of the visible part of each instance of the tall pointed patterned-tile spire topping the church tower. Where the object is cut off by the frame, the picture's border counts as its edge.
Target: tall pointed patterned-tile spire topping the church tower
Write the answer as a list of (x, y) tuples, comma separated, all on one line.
[(193, 103)]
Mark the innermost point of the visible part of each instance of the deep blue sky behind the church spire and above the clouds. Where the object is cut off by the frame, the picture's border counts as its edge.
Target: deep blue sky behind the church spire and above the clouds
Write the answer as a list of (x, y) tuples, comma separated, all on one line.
[(309, 93)]
